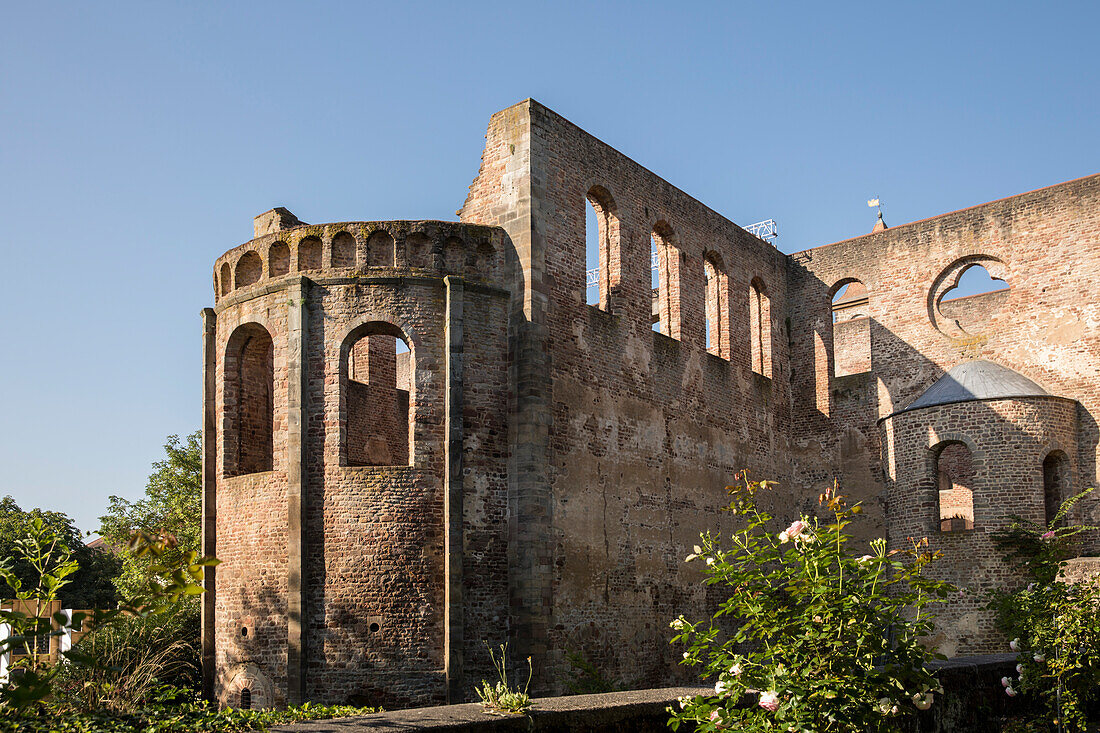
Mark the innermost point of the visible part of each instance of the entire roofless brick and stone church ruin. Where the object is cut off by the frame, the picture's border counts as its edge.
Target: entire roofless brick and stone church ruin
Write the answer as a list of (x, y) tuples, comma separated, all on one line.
[(420, 437)]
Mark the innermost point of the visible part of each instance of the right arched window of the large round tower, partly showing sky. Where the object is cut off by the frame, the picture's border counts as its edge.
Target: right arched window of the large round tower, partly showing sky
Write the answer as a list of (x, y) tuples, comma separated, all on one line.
[(379, 389)]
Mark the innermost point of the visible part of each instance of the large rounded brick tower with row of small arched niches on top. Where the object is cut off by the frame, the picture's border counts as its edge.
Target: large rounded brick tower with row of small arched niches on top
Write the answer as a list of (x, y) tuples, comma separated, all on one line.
[(356, 387)]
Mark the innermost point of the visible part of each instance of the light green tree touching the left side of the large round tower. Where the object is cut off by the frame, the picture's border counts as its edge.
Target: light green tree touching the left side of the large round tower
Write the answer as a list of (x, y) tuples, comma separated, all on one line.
[(173, 506)]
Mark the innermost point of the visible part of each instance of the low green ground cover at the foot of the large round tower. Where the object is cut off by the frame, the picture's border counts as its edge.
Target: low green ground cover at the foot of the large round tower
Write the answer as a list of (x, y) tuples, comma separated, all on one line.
[(167, 710)]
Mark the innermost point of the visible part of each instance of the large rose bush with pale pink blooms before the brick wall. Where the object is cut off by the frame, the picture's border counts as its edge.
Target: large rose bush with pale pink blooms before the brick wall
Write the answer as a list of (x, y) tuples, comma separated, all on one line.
[(822, 641)]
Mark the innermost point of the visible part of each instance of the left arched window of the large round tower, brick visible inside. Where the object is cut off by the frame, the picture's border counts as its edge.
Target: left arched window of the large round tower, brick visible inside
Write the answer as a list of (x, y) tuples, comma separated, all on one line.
[(249, 401)]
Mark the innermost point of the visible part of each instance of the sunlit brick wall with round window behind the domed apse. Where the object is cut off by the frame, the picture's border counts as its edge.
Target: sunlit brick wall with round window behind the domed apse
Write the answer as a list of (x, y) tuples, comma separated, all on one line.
[(1044, 244)]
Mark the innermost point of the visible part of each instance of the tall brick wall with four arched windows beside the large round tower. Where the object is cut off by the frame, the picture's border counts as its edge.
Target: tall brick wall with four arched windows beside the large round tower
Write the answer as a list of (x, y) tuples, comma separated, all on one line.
[(639, 432)]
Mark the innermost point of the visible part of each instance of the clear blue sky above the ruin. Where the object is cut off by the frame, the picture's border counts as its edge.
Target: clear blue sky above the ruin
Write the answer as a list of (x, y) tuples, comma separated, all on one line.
[(139, 140)]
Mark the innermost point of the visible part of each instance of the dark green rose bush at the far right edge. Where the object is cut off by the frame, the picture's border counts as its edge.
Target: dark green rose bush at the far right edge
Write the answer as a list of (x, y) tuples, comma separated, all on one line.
[(1055, 627)]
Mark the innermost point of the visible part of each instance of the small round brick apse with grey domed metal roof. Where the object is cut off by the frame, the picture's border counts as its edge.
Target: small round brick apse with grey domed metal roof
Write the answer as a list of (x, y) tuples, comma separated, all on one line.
[(982, 445)]
